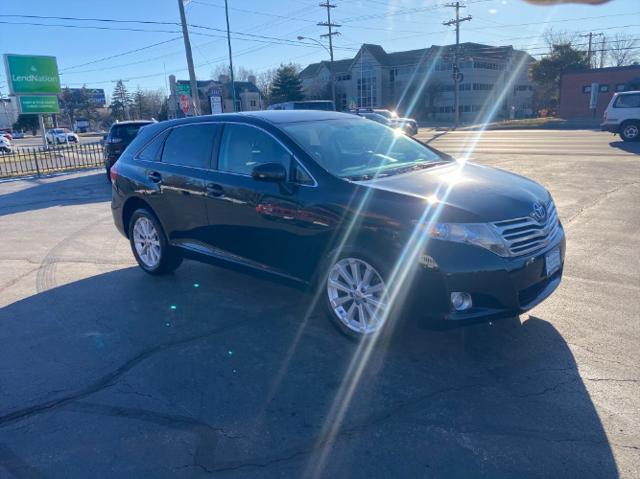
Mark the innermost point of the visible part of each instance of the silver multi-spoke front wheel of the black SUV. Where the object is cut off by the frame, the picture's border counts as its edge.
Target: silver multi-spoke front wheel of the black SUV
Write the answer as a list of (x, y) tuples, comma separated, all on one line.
[(357, 295)]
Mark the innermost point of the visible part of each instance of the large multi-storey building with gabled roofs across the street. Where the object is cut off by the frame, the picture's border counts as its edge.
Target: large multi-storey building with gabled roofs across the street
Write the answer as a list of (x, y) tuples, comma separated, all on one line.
[(419, 83)]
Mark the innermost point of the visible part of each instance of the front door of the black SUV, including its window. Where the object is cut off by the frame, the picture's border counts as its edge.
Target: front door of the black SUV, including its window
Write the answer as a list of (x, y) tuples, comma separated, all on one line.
[(265, 224)]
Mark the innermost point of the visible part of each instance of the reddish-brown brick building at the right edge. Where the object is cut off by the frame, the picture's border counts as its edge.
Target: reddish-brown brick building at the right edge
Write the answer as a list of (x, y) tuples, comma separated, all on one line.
[(575, 89)]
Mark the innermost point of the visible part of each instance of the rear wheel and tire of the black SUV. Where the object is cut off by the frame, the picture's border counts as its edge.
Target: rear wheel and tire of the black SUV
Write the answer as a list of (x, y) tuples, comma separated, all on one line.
[(149, 244)]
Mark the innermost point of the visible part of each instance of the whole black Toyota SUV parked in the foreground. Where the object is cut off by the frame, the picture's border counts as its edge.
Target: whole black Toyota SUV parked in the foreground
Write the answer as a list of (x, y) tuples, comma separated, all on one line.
[(373, 219)]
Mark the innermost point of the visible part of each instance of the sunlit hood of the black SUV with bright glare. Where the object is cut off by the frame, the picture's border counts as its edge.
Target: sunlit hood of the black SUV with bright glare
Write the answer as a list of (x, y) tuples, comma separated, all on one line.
[(466, 192)]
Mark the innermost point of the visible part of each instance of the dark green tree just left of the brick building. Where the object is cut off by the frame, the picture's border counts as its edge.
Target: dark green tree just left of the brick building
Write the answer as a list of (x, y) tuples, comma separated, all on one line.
[(547, 72)]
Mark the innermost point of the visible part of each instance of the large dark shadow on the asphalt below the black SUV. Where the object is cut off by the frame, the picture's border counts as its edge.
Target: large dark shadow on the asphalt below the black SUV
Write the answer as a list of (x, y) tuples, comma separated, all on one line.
[(209, 370)]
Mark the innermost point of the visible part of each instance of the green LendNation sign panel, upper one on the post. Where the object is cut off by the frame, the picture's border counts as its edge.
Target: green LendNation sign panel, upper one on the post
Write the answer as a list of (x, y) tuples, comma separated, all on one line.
[(29, 74)]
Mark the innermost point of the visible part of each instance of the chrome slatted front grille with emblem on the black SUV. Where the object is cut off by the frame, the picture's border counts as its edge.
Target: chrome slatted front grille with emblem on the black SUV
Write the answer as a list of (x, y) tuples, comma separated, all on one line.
[(526, 235)]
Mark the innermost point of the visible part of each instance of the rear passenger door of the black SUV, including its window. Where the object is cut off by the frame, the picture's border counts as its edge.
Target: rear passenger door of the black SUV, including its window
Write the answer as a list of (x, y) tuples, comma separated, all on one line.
[(180, 177)]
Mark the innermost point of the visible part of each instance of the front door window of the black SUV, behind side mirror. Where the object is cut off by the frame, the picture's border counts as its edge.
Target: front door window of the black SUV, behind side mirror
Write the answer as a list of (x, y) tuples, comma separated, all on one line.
[(243, 147)]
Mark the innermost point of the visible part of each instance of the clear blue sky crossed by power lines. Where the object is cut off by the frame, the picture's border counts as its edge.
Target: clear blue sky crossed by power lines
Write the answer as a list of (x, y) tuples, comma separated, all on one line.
[(264, 32)]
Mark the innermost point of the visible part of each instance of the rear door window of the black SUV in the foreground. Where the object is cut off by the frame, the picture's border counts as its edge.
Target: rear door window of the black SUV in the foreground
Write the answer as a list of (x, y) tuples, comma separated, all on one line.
[(190, 145)]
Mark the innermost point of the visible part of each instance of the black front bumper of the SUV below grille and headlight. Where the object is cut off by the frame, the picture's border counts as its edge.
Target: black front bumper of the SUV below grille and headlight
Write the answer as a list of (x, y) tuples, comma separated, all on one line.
[(499, 287)]
